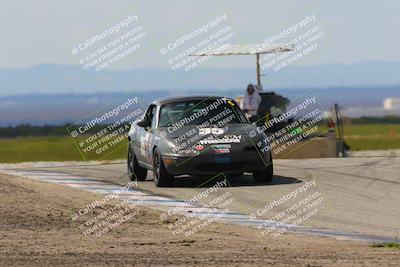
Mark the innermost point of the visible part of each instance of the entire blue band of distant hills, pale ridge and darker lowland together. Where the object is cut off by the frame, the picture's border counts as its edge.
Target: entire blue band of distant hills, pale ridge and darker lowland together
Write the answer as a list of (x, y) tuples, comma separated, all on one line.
[(56, 94)]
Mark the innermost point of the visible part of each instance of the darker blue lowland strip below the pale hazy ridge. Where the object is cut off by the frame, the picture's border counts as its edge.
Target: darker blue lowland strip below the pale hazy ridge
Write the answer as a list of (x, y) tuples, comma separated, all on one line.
[(57, 109)]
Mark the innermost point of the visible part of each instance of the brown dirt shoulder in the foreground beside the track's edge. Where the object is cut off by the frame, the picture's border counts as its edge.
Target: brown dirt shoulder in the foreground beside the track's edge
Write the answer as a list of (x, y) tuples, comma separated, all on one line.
[(36, 229)]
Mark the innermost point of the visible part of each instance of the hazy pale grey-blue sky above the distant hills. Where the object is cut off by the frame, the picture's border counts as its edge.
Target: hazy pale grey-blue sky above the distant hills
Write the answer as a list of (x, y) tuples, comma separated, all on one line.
[(36, 32)]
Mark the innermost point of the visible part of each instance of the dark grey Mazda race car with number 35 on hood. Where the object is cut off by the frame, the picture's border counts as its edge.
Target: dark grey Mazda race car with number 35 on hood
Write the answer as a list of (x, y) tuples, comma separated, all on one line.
[(197, 136)]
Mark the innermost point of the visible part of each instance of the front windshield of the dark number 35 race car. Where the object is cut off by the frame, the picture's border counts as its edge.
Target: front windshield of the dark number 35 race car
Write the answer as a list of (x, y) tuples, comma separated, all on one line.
[(197, 112)]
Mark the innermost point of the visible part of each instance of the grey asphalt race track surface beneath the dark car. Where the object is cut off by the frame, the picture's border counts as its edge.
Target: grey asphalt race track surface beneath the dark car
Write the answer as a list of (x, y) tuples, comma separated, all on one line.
[(361, 195)]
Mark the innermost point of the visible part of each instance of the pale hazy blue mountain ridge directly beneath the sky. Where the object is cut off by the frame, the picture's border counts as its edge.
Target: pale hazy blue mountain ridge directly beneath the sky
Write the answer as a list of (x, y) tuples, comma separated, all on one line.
[(50, 79)]
